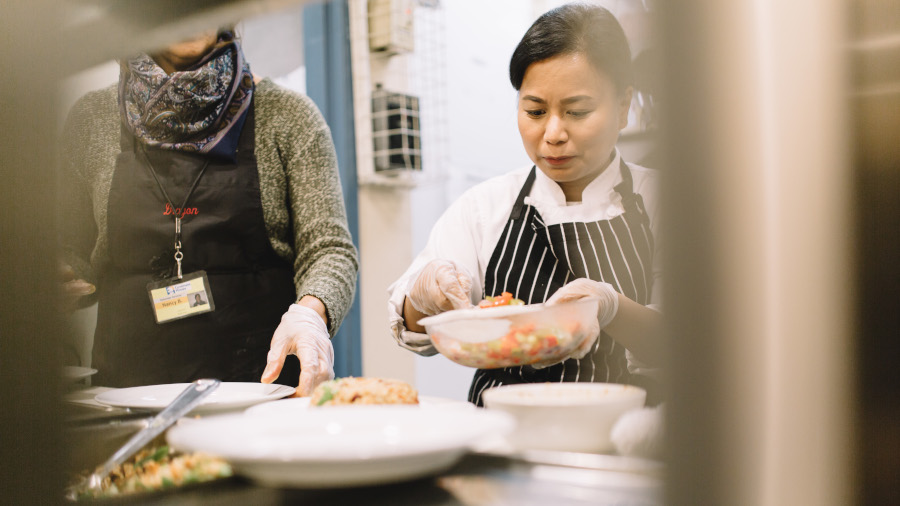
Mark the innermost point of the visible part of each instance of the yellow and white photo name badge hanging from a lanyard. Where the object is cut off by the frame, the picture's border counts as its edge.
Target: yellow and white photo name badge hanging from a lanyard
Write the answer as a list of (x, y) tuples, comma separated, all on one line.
[(174, 298)]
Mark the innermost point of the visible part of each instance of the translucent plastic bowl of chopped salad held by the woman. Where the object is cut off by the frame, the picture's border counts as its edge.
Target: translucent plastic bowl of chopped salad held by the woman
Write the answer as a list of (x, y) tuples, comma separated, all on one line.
[(507, 336)]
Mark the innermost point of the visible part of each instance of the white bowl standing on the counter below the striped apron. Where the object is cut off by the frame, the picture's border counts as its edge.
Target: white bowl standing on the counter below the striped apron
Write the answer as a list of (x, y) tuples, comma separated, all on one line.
[(564, 416)]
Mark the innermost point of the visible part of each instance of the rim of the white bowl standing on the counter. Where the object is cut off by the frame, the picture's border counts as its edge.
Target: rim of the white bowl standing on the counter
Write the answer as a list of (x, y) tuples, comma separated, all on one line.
[(503, 394)]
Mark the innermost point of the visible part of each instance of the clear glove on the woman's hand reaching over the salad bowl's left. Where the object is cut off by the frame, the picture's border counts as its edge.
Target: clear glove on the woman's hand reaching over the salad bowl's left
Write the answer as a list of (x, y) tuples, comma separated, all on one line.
[(442, 285)]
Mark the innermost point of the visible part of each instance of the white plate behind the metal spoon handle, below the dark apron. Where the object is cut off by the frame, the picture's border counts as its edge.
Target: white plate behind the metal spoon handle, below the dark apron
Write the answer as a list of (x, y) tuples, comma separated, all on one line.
[(229, 396)]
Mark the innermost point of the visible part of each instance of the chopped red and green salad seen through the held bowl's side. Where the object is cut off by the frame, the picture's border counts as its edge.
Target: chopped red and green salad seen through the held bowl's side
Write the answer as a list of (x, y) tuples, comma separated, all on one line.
[(527, 343)]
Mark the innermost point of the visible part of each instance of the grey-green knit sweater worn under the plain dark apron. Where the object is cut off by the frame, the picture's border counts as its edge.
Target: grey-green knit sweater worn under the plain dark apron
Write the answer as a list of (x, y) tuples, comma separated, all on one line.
[(299, 186)]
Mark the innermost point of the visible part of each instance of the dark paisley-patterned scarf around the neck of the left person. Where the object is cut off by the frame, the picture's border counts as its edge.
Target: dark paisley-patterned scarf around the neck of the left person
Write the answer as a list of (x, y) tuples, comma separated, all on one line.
[(198, 110)]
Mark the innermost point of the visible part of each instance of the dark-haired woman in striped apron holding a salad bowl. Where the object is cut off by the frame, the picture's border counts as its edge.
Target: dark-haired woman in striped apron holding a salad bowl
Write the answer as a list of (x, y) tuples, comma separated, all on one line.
[(573, 225)]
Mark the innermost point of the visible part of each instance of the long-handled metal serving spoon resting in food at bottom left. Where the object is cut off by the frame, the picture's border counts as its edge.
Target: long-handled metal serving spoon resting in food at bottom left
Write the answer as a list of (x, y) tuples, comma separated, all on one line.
[(186, 401)]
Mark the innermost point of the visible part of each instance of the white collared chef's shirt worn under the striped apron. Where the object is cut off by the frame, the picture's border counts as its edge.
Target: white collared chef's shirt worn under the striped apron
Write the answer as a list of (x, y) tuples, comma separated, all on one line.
[(468, 231)]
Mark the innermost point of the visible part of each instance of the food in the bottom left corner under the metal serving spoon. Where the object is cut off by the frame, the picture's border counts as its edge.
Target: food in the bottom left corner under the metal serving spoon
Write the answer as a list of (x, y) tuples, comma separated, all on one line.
[(159, 468)]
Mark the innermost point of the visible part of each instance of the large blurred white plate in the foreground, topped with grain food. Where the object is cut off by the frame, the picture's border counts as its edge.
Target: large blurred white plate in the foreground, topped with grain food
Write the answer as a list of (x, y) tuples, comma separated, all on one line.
[(343, 445)]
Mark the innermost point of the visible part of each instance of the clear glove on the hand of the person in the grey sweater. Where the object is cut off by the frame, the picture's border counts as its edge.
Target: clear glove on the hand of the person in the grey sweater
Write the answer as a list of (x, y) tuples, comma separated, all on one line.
[(302, 332)]
